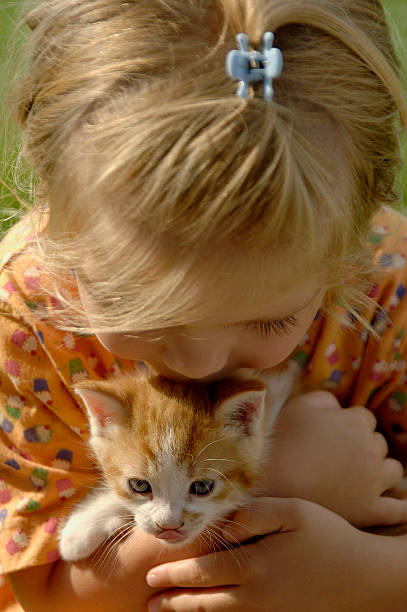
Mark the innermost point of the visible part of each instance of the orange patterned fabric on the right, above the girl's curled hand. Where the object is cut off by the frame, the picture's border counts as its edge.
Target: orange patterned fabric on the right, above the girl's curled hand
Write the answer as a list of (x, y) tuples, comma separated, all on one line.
[(342, 357)]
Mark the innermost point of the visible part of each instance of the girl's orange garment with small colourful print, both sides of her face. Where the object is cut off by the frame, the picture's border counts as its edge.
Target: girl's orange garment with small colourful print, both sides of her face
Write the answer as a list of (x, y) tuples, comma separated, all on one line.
[(44, 464)]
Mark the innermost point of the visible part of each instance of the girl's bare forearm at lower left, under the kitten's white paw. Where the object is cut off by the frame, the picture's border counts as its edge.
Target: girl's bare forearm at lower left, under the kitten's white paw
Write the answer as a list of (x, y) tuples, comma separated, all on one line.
[(112, 579)]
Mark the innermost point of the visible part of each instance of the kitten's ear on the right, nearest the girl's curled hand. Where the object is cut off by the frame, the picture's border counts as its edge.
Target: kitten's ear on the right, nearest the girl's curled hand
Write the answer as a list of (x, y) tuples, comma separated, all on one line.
[(242, 413)]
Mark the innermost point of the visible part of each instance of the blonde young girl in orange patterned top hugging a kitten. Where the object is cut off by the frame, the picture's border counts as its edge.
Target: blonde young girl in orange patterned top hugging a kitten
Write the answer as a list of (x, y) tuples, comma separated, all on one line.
[(198, 231)]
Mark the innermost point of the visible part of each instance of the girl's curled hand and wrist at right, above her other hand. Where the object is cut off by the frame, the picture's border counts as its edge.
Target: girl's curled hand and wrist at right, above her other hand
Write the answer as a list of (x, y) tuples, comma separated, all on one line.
[(334, 457)]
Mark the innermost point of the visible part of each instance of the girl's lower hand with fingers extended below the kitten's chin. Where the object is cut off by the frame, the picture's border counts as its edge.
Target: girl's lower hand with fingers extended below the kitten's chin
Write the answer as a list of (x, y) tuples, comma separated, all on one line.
[(314, 560)]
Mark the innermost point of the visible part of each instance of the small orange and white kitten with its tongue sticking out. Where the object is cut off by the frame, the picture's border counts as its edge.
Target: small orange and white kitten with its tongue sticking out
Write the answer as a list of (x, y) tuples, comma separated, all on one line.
[(175, 457)]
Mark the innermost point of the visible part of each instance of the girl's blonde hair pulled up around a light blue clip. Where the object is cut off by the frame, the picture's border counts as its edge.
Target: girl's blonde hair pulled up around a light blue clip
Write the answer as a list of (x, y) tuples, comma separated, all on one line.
[(155, 174)]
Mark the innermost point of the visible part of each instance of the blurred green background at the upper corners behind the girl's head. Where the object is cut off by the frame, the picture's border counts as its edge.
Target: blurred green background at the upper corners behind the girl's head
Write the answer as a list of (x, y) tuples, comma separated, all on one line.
[(8, 202)]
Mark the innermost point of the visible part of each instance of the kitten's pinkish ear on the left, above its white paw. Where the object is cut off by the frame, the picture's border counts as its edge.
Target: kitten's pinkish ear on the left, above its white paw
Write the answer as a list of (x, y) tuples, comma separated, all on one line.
[(102, 409)]
